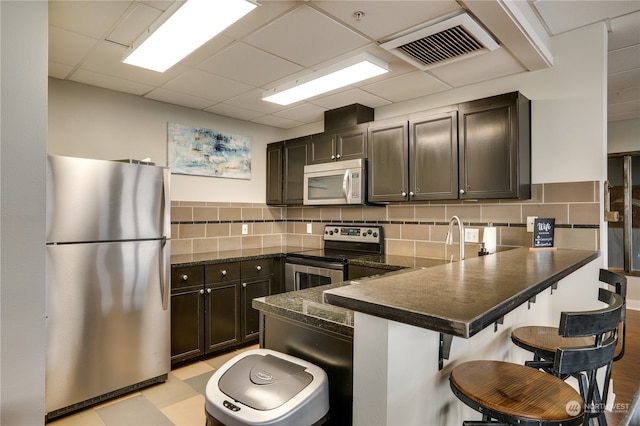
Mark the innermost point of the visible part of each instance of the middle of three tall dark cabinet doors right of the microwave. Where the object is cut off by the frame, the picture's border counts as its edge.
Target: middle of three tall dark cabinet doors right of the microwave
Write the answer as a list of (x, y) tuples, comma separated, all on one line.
[(433, 167)]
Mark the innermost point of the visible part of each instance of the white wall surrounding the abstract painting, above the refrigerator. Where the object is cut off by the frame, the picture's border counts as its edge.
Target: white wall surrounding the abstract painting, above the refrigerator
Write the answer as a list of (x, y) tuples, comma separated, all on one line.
[(86, 121)]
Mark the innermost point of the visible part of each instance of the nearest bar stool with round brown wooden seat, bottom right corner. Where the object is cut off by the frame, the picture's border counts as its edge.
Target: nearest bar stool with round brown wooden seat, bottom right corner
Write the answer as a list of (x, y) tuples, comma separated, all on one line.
[(517, 394)]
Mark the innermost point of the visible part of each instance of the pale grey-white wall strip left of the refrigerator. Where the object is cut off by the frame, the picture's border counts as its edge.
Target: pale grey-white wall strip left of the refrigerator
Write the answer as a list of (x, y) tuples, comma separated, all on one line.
[(23, 128)]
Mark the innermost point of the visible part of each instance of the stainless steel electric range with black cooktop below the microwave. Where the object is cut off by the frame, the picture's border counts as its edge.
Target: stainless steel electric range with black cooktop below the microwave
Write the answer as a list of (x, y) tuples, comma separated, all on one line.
[(313, 268)]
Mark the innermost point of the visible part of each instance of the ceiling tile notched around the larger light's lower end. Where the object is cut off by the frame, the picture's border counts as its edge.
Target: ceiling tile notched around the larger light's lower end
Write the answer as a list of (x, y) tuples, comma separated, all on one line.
[(107, 58)]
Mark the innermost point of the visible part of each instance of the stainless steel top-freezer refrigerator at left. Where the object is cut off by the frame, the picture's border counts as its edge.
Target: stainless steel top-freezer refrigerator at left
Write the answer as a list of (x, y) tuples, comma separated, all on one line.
[(108, 271)]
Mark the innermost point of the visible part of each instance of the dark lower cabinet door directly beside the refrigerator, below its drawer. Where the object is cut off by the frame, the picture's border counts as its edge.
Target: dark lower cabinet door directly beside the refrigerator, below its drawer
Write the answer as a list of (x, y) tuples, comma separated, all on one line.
[(187, 323)]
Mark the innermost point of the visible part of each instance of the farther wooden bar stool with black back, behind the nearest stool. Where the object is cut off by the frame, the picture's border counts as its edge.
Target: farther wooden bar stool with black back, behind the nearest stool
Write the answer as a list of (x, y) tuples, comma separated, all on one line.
[(543, 341)]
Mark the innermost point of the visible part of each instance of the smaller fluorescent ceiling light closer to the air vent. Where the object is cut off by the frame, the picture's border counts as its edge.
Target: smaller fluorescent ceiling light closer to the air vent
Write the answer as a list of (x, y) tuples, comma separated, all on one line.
[(358, 68)]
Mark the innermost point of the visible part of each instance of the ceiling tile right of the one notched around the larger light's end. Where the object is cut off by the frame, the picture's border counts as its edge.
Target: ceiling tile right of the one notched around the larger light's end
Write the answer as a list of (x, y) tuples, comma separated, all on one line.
[(206, 85)]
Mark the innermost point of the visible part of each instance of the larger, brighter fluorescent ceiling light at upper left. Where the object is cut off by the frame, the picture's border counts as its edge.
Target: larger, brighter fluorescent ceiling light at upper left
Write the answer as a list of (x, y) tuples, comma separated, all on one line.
[(192, 25)]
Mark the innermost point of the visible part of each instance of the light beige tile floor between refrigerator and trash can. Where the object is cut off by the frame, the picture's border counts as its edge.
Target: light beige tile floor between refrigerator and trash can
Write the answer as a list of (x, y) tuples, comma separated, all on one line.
[(179, 401)]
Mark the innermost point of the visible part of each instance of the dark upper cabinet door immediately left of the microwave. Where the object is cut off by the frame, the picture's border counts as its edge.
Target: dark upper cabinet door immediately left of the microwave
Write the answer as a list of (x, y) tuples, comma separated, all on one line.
[(295, 158)]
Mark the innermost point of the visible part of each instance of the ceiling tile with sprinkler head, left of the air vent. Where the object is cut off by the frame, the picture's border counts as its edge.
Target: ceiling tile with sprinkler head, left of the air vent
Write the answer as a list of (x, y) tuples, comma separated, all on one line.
[(379, 23)]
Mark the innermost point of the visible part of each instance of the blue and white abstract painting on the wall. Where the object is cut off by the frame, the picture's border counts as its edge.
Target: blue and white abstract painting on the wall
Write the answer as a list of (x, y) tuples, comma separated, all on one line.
[(206, 152)]
